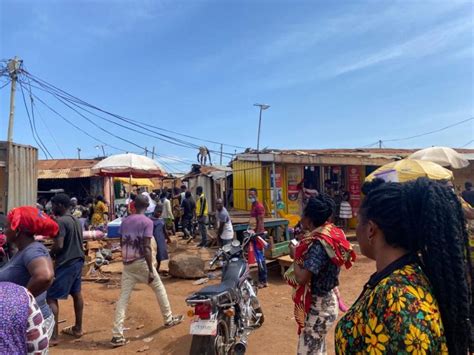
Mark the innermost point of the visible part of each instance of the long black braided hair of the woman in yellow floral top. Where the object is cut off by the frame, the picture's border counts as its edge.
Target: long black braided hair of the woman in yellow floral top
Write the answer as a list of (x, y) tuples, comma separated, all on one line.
[(426, 218)]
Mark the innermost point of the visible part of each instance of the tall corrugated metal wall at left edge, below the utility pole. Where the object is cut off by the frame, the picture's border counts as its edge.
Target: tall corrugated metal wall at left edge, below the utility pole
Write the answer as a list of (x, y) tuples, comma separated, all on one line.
[(18, 175)]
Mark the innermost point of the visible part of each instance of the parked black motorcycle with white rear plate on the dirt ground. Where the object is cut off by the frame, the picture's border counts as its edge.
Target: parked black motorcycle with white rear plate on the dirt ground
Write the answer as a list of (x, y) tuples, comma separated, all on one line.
[(224, 315)]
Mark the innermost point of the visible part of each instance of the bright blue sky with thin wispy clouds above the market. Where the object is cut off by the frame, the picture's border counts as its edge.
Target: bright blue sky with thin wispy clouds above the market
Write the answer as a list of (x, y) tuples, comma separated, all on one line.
[(337, 74)]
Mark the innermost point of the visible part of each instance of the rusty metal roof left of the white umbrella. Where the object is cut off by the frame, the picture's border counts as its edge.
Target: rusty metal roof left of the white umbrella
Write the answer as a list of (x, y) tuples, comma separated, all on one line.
[(65, 168)]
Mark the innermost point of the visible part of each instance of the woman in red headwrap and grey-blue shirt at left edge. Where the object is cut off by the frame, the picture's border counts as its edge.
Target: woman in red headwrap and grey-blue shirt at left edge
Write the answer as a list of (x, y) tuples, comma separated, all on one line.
[(31, 266)]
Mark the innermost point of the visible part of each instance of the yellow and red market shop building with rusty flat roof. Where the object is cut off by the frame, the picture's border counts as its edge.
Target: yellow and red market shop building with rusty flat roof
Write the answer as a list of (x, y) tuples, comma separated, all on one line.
[(278, 175)]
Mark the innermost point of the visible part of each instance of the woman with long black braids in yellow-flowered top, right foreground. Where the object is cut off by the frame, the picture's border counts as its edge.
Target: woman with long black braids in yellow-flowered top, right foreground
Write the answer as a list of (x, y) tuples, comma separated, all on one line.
[(418, 301)]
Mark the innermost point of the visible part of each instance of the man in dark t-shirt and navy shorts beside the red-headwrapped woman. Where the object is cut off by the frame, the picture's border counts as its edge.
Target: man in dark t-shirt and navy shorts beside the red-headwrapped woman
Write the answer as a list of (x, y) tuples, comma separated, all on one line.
[(68, 254)]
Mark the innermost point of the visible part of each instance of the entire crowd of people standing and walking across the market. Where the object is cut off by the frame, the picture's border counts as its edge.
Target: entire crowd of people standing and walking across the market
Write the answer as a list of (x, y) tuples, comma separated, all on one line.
[(419, 300)]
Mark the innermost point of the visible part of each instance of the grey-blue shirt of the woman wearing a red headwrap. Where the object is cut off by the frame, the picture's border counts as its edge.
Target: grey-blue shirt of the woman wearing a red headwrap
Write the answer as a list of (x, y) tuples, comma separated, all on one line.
[(16, 271)]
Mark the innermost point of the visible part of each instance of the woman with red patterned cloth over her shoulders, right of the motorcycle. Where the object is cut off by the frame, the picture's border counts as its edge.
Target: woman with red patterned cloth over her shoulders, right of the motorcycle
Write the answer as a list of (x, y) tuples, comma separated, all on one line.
[(317, 262)]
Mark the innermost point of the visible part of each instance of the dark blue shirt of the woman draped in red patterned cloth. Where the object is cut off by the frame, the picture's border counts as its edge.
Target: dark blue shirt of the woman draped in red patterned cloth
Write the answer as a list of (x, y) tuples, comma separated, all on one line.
[(325, 274)]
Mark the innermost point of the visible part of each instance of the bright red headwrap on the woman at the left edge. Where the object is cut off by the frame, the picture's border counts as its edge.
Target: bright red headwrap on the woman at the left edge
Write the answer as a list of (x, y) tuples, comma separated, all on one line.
[(30, 219)]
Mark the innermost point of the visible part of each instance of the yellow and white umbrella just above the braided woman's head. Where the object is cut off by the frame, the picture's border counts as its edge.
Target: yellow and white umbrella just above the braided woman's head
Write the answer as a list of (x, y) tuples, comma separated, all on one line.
[(410, 169)]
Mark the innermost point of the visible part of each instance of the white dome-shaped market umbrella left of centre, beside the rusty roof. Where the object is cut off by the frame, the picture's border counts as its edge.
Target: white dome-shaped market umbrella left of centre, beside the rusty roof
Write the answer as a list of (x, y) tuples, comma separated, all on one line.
[(129, 165)]
